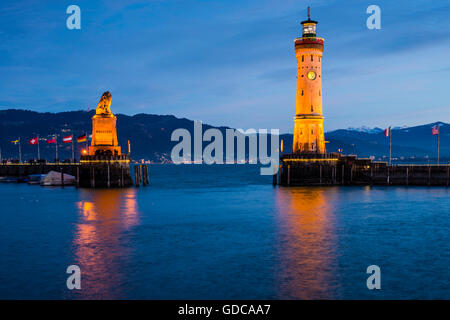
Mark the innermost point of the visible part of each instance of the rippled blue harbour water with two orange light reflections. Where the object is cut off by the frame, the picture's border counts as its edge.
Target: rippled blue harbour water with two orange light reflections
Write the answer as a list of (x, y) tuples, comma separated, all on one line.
[(224, 232)]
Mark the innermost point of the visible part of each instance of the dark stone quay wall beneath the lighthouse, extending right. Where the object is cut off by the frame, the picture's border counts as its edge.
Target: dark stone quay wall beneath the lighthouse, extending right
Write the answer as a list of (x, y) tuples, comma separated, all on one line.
[(336, 169)]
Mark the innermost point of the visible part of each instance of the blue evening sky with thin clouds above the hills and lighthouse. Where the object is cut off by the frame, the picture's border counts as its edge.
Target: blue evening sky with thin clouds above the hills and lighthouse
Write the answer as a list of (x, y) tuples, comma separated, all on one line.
[(228, 62)]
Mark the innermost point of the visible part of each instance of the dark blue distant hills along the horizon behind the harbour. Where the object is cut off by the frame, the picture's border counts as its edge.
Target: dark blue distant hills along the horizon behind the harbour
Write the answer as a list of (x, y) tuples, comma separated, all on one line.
[(150, 136)]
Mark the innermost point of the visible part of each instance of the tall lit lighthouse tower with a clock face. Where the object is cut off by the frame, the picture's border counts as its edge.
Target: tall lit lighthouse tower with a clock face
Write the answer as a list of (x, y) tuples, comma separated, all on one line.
[(308, 128)]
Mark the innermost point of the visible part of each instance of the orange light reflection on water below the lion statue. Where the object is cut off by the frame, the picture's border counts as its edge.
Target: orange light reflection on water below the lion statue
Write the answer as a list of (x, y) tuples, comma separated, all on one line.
[(101, 245)]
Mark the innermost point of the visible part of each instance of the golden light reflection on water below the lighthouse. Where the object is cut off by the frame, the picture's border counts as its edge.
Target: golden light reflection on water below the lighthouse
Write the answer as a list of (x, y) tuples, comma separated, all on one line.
[(307, 243)]
